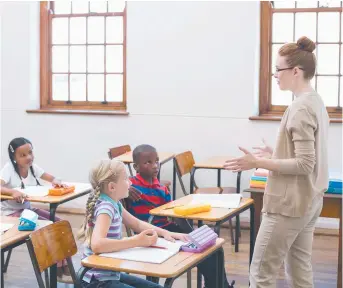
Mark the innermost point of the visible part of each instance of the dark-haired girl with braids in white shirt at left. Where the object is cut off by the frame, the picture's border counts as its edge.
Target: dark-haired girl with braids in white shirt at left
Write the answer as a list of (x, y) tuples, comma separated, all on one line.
[(20, 172)]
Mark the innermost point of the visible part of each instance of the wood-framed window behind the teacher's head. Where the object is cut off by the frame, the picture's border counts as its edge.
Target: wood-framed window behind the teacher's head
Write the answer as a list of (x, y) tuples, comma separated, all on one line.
[(286, 21)]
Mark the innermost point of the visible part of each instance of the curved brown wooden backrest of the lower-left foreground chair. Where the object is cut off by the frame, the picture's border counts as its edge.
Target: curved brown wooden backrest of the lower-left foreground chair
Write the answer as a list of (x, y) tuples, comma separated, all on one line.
[(53, 243)]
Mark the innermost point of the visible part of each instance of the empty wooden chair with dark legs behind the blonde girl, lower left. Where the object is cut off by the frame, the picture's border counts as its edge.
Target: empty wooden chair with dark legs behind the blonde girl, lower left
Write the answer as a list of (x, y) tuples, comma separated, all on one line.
[(49, 245)]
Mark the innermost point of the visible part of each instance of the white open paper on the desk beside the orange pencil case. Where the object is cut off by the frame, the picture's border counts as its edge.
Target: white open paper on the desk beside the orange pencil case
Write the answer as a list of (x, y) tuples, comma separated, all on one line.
[(229, 201)]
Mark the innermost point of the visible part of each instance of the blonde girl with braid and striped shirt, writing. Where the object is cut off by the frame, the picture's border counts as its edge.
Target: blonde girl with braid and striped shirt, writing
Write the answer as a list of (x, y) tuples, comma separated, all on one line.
[(102, 229)]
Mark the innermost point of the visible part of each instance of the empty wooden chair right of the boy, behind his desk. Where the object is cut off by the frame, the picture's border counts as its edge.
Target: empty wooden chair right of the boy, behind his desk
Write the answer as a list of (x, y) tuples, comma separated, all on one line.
[(184, 163)]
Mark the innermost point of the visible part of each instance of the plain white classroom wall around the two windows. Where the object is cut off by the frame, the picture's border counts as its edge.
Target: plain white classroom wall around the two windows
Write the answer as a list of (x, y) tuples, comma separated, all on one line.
[(192, 76)]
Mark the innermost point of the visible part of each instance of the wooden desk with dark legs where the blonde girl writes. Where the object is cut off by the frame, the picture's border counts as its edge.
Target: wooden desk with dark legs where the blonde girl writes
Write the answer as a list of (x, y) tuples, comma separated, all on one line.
[(171, 269)]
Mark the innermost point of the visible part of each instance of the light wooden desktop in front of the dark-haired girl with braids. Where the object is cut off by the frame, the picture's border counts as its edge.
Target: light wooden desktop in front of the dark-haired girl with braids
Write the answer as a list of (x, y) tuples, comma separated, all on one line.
[(53, 199)]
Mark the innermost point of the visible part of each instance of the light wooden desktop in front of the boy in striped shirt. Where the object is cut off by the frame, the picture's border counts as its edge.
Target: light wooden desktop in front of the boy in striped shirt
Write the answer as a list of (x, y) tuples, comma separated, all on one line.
[(216, 214)]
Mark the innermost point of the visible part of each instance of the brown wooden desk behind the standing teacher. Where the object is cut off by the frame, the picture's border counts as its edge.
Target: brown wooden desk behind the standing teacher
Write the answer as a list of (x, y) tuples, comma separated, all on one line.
[(332, 208)]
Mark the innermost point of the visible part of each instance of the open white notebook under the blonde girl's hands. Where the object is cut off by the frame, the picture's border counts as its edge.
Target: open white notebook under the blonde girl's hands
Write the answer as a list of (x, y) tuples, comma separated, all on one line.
[(148, 254)]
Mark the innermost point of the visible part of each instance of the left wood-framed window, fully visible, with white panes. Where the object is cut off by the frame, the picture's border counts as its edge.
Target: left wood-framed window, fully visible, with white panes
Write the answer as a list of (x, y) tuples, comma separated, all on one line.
[(83, 55)]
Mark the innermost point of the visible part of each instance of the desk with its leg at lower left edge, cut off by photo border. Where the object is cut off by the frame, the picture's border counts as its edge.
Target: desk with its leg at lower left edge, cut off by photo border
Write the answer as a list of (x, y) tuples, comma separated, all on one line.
[(13, 238)]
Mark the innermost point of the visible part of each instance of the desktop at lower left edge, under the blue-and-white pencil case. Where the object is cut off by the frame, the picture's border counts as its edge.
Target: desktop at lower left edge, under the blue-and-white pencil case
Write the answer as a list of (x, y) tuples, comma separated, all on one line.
[(13, 235)]
